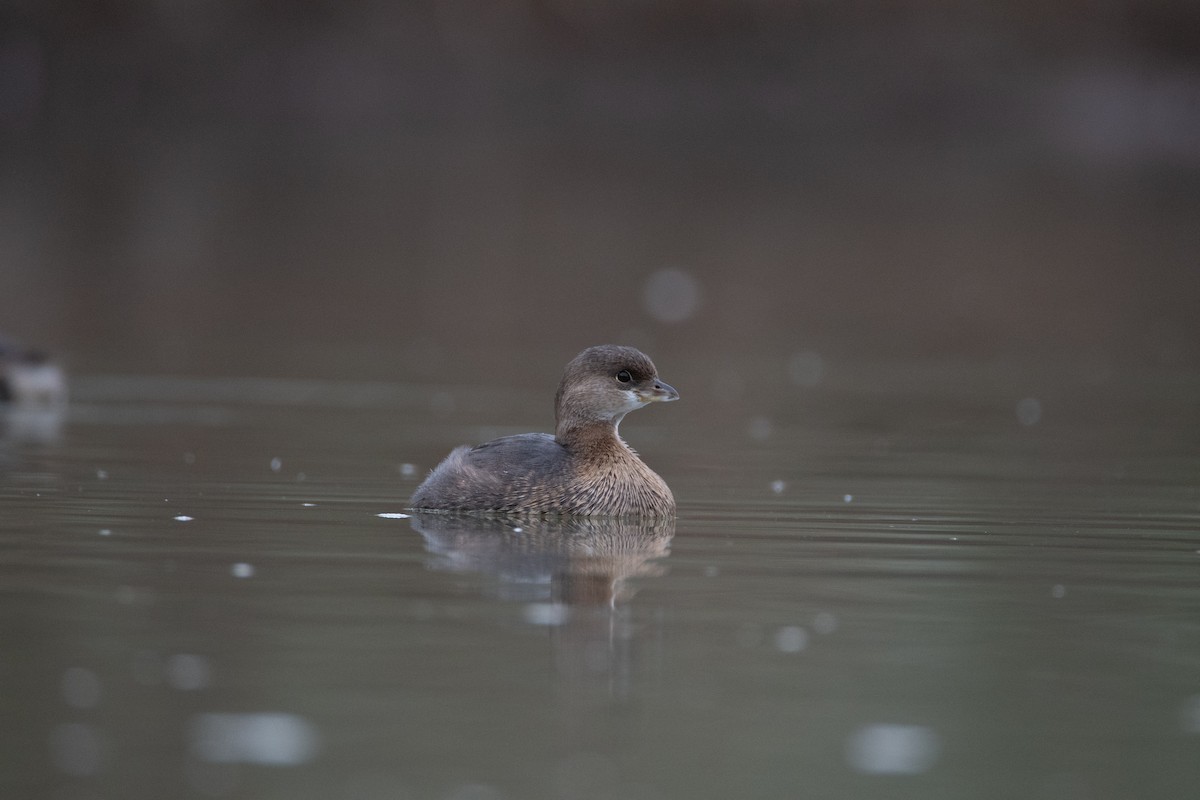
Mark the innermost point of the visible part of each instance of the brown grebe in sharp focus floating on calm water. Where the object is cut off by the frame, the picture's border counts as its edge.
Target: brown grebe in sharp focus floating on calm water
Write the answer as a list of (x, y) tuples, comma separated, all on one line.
[(584, 470)]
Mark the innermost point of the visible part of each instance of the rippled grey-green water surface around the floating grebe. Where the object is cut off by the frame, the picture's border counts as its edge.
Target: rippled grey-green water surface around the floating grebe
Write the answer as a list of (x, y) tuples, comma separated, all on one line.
[(885, 581)]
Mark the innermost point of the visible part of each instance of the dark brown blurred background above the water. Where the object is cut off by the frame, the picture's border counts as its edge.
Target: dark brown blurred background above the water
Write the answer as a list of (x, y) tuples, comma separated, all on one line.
[(405, 191)]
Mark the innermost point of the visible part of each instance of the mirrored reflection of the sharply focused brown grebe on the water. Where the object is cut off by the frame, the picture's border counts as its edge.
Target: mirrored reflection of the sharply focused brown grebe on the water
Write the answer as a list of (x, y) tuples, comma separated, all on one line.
[(575, 562)]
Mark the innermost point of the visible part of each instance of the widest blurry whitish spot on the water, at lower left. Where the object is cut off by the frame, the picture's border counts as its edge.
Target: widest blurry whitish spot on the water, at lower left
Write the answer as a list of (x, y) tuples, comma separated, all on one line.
[(268, 738)]
